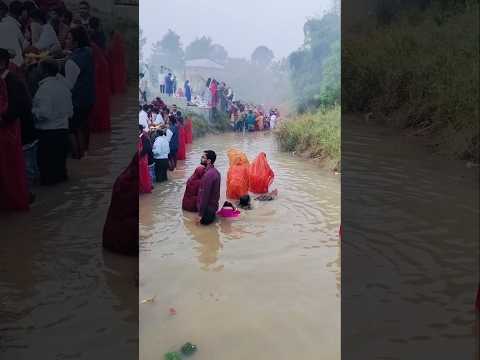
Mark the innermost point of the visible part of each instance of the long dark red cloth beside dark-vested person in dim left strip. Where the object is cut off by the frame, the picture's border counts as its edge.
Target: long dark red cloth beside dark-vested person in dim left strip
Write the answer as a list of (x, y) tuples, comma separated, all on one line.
[(100, 115)]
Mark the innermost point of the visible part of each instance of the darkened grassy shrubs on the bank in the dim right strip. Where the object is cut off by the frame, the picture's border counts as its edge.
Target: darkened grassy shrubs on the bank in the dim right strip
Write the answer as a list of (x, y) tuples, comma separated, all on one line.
[(420, 73)]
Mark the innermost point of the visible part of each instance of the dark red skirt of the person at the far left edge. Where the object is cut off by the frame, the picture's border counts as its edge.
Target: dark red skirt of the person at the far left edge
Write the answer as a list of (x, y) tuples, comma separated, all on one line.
[(13, 182)]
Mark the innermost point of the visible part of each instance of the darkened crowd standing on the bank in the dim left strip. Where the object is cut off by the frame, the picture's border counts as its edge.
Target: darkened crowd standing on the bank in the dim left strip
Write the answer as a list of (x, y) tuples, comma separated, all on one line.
[(57, 74)]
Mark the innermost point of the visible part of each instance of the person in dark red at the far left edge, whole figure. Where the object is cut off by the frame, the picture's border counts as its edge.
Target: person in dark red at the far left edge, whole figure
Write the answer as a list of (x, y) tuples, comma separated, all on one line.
[(13, 182)]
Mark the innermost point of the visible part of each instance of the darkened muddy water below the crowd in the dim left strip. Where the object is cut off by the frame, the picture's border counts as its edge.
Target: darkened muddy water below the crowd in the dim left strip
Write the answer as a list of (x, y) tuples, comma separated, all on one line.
[(62, 296)]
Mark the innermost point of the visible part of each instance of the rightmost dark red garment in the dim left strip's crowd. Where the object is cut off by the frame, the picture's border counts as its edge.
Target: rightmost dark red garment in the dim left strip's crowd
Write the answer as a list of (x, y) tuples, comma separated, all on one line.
[(118, 69)]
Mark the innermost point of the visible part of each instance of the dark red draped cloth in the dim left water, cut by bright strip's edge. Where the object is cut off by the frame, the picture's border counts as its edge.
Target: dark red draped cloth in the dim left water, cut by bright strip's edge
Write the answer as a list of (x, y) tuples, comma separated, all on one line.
[(120, 232)]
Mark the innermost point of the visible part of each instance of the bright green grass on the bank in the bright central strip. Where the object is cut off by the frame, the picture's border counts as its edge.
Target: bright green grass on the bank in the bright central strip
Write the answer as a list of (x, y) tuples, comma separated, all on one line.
[(315, 134)]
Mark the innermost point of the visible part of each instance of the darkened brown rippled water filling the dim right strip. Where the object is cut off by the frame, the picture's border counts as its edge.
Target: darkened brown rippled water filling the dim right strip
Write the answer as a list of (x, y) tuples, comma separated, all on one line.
[(410, 254)]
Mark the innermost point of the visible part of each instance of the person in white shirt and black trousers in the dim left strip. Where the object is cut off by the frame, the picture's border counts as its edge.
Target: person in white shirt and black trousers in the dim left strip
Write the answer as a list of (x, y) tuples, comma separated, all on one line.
[(52, 109)]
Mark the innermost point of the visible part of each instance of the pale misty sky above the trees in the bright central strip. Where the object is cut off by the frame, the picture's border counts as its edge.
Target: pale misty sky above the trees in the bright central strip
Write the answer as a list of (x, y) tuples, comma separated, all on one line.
[(239, 25)]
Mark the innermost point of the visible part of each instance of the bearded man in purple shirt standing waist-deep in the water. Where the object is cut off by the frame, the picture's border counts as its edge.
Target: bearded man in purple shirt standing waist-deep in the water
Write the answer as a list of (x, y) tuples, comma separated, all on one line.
[(209, 192)]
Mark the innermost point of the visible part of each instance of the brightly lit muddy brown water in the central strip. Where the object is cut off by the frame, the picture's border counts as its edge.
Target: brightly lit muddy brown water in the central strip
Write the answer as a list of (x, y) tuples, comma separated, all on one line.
[(265, 285)]
